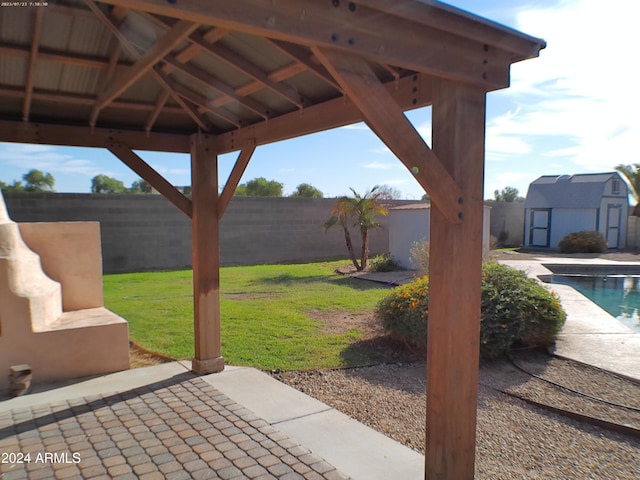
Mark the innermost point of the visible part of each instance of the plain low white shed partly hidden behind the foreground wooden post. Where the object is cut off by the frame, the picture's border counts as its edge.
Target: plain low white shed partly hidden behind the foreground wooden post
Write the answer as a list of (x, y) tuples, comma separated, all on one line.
[(410, 224)]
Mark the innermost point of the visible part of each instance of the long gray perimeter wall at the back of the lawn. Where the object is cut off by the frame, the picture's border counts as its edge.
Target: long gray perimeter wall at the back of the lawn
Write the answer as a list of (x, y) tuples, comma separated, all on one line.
[(146, 232)]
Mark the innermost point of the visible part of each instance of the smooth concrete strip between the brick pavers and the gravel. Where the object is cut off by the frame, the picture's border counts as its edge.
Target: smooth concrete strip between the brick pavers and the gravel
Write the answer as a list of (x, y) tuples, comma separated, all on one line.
[(355, 449)]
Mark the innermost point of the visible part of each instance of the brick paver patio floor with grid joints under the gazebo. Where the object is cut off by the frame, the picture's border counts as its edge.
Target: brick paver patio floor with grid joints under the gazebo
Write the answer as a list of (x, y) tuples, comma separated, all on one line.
[(177, 429)]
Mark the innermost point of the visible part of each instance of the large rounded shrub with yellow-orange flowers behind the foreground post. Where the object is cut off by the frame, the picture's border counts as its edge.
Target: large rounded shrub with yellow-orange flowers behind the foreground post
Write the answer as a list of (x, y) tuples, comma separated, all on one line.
[(515, 309)]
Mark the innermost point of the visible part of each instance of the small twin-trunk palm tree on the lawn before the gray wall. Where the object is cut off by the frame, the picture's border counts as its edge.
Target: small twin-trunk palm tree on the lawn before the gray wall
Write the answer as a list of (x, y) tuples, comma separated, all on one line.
[(361, 211)]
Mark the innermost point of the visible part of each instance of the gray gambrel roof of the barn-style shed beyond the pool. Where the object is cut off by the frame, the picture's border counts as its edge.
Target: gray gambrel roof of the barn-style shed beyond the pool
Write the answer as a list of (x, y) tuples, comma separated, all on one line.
[(570, 191)]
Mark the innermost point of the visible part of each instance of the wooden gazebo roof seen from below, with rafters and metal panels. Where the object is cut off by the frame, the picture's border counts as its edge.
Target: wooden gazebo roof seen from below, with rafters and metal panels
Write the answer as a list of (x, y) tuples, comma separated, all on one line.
[(241, 70)]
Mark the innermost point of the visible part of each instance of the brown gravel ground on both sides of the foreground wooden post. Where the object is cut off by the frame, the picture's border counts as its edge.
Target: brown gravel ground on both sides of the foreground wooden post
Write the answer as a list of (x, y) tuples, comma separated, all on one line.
[(514, 440)]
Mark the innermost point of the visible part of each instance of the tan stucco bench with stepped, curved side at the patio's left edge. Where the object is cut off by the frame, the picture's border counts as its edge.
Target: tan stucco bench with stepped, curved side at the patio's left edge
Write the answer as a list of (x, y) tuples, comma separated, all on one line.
[(52, 316)]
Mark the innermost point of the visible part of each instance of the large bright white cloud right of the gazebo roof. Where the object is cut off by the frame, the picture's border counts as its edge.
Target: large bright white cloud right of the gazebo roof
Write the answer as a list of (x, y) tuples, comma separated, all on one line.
[(581, 91)]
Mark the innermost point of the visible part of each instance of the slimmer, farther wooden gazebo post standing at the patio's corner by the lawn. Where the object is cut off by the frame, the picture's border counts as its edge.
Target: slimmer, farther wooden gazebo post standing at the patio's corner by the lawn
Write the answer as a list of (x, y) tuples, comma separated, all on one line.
[(206, 256)]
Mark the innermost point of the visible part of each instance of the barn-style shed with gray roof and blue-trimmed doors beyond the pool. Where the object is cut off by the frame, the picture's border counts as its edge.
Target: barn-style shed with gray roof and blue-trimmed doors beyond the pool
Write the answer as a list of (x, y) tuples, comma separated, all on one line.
[(557, 205)]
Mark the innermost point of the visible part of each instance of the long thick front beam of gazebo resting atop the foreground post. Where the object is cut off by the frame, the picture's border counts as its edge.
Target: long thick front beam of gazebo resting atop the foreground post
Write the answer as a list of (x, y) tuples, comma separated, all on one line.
[(363, 31)]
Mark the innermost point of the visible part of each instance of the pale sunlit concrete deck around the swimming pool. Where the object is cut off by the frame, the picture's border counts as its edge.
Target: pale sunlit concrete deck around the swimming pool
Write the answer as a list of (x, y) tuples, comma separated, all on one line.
[(590, 334)]
